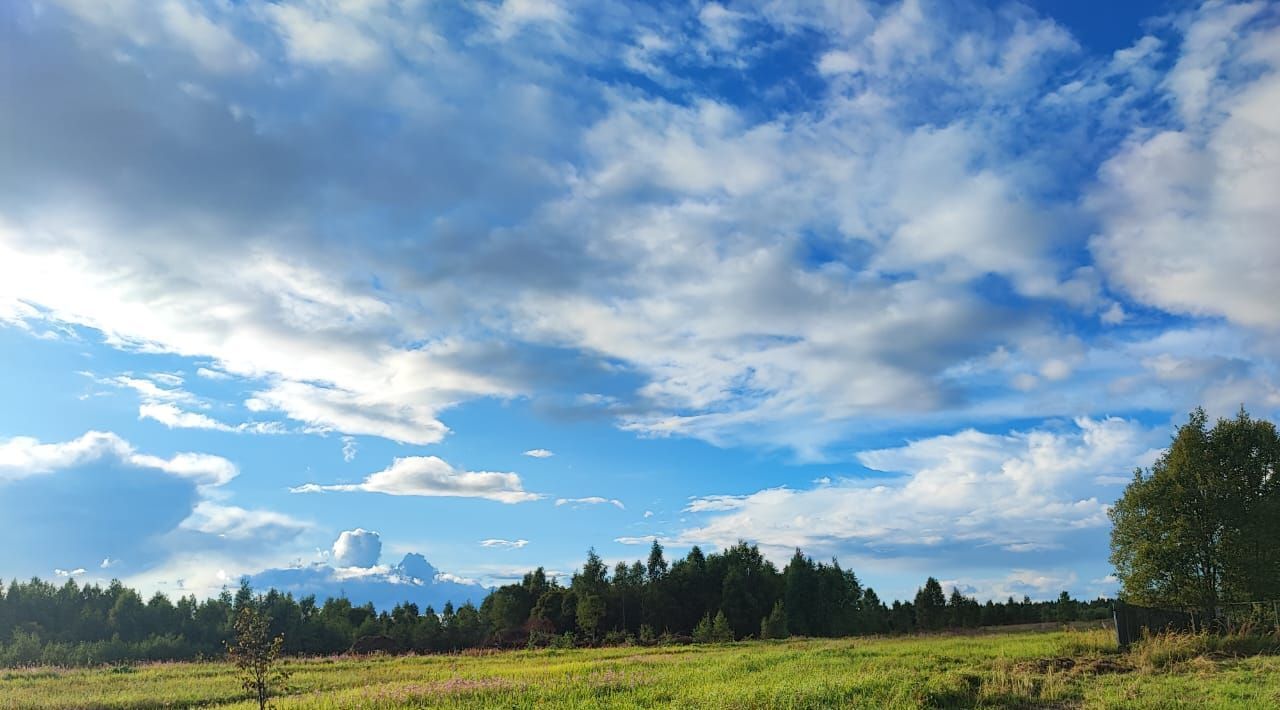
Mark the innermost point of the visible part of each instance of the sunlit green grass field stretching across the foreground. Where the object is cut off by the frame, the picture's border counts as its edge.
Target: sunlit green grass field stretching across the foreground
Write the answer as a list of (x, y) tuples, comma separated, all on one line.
[(1027, 670)]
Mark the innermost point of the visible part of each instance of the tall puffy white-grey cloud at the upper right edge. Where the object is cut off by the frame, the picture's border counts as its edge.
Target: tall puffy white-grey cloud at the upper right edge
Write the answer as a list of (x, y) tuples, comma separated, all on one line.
[(1169, 193)]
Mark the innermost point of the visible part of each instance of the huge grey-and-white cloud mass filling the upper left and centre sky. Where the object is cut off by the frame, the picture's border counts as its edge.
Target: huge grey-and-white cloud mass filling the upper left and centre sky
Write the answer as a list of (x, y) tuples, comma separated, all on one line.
[(692, 219)]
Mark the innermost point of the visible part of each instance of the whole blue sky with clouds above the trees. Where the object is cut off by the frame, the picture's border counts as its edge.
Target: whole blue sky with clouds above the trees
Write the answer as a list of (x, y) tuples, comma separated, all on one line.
[(310, 286)]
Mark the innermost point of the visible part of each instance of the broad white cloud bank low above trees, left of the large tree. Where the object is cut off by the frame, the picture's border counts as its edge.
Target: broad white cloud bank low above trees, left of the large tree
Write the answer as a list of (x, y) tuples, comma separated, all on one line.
[(1021, 492)]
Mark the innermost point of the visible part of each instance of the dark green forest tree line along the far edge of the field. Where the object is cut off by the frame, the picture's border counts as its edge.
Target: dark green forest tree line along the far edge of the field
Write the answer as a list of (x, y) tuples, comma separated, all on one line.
[(702, 598)]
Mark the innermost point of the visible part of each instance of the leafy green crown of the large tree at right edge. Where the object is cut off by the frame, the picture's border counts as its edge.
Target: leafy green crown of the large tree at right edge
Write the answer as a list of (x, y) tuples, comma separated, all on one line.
[(1200, 528)]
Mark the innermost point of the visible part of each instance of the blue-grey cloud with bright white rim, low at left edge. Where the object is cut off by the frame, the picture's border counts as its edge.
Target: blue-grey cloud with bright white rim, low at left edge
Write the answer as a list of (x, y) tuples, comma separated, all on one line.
[(97, 498)]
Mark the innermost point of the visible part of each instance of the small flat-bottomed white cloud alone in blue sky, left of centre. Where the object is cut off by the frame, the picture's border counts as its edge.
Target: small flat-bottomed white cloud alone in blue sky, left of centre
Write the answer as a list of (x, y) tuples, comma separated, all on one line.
[(432, 477)]
